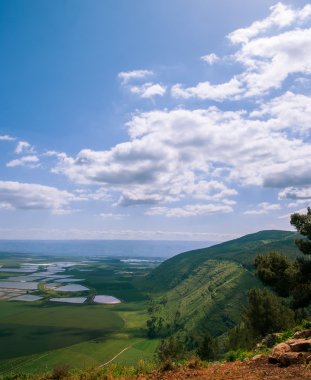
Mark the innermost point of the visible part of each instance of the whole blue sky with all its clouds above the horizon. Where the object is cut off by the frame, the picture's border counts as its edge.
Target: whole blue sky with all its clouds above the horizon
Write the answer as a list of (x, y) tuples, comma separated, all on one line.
[(168, 120)]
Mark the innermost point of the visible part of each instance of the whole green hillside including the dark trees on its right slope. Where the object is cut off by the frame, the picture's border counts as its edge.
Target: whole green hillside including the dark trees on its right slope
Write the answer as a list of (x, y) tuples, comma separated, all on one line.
[(216, 293)]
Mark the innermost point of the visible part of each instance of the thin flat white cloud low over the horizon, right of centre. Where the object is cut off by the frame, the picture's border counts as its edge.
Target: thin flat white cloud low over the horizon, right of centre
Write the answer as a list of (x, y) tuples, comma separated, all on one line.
[(190, 210)]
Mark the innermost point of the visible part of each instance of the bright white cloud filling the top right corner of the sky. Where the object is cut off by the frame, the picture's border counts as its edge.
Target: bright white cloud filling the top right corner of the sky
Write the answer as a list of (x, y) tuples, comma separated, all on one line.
[(268, 54)]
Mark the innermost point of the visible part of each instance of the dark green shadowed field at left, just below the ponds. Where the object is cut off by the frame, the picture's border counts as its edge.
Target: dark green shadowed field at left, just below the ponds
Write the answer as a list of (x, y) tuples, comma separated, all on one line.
[(30, 329)]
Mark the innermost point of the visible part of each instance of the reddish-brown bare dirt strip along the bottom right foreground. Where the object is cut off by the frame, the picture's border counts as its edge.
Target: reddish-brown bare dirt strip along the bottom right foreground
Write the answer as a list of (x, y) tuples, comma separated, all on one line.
[(237, 370)]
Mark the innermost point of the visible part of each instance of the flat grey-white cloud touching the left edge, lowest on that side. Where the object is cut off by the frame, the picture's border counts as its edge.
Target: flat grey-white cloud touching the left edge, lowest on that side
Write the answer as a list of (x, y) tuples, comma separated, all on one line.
[(29, 196)]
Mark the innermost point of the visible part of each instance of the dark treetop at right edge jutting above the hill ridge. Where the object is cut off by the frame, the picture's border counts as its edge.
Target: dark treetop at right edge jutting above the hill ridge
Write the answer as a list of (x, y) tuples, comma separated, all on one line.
[(302, 223)]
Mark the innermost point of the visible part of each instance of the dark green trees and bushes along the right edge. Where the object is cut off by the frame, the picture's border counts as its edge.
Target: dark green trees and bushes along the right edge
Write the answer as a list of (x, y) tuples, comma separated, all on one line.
[(290, 279)]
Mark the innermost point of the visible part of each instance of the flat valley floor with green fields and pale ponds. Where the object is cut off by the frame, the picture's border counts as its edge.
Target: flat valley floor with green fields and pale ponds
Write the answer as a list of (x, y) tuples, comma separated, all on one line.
[(53, 331)]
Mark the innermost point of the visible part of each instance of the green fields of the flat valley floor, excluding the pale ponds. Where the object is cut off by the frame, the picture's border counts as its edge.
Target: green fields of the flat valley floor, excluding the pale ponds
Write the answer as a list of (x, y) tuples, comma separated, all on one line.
[(41, 335)]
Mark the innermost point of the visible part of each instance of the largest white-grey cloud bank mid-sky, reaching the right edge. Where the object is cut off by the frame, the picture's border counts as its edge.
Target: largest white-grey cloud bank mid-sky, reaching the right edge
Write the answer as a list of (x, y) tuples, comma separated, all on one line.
[(198, 154)]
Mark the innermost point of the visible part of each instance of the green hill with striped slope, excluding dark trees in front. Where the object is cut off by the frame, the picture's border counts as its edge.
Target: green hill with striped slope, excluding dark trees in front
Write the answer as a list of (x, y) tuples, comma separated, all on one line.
[(208, 287)]
